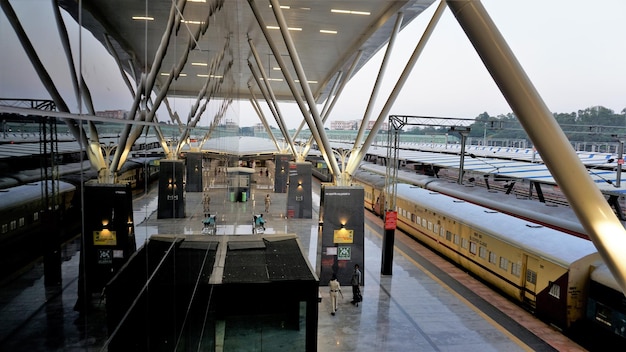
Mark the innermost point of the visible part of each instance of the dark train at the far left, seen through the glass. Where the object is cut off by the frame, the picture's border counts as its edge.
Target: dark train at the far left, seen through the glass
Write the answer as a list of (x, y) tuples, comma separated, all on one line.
[(36, 215)]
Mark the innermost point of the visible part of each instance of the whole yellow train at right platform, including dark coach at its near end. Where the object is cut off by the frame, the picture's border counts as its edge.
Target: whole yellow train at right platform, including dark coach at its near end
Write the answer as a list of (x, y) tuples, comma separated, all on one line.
[(559, 277)]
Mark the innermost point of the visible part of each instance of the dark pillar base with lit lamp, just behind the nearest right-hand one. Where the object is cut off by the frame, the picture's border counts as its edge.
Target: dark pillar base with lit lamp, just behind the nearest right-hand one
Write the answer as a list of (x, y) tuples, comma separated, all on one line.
[(299, 193)]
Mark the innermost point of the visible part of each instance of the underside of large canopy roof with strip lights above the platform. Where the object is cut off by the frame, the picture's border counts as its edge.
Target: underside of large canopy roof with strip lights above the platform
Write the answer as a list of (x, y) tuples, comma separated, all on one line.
[(326, 34)]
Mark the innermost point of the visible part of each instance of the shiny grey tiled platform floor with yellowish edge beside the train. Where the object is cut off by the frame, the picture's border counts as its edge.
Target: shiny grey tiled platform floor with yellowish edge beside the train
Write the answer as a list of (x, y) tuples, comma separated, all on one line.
[(426, 305)]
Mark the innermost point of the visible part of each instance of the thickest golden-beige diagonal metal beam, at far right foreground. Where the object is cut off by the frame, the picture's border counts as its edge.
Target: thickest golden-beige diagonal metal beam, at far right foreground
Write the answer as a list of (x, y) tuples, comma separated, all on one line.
[(594, 213)]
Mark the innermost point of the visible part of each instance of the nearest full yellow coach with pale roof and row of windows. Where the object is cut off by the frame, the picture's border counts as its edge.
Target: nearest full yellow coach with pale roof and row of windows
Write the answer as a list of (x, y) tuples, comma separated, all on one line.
[(544, 269)]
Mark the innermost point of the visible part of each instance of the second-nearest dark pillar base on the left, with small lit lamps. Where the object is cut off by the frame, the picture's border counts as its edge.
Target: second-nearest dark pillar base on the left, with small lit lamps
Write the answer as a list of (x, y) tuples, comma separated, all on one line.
[(171, 190)]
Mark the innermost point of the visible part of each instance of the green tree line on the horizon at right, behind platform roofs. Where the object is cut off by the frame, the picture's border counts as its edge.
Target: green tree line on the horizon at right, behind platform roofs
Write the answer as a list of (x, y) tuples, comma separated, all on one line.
[(593, 124)]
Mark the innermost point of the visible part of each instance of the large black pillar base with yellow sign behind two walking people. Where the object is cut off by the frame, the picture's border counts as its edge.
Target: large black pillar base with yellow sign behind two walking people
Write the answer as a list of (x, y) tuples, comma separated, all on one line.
[(341, 228)]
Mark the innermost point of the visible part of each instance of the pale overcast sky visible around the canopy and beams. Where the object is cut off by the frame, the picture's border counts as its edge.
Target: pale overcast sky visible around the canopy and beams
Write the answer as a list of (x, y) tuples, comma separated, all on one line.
[(574, 52)]
